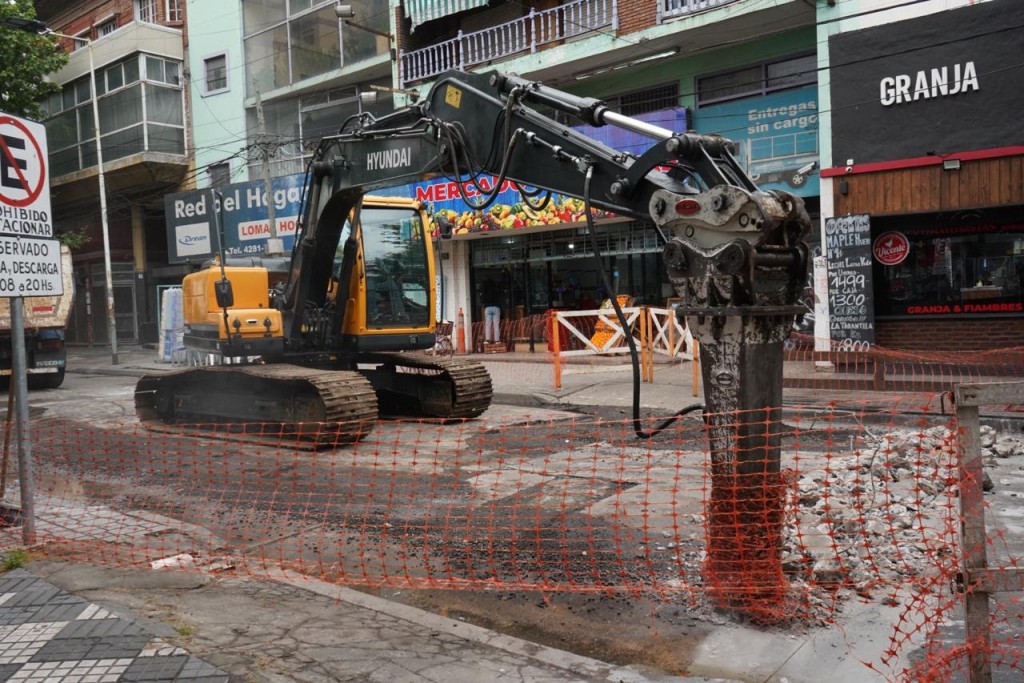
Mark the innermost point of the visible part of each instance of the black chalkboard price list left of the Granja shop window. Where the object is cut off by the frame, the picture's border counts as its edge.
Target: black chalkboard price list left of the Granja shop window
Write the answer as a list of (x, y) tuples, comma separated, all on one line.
[(851, 304)]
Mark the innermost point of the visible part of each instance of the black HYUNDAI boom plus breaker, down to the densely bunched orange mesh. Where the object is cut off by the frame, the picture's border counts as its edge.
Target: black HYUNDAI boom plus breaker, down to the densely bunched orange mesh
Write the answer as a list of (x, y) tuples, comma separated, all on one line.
[(736, 254)]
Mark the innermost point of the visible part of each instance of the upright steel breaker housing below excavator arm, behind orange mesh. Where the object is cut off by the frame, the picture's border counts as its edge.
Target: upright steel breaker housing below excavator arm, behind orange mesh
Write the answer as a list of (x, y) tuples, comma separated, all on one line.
[(742, 368)]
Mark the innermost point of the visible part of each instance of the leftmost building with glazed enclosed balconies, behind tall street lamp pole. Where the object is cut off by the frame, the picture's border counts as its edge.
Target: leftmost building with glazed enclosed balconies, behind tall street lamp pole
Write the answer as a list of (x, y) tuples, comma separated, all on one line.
[(135, 50)]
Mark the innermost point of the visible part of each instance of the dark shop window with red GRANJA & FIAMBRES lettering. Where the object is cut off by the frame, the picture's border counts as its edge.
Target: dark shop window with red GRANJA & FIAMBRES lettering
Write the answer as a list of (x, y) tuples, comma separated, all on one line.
[(955, 271)]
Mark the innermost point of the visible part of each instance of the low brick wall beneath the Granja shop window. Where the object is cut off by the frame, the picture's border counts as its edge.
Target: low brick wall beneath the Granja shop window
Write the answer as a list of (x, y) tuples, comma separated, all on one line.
[(962, 335)]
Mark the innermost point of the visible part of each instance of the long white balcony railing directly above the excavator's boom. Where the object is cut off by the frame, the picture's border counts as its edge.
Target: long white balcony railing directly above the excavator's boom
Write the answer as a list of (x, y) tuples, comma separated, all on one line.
[(528, 34)]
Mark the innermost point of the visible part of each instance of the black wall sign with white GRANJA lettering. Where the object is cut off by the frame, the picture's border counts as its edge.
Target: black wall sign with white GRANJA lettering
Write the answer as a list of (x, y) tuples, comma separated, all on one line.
[(942, 83)]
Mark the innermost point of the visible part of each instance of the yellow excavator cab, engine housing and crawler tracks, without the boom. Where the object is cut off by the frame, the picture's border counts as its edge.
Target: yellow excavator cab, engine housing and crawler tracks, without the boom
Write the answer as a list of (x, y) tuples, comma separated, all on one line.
[(326, 386)]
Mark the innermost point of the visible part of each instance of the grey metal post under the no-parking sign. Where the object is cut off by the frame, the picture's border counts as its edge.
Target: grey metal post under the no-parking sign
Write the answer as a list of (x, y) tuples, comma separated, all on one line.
[(21, 379)]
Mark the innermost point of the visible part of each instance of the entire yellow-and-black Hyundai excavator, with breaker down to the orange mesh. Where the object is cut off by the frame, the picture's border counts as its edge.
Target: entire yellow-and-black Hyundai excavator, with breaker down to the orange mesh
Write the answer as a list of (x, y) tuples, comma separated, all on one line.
[(325, 351)]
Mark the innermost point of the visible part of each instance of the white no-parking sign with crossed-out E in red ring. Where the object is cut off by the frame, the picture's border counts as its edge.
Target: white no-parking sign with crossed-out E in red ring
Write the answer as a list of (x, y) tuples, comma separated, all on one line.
[(25, 188)]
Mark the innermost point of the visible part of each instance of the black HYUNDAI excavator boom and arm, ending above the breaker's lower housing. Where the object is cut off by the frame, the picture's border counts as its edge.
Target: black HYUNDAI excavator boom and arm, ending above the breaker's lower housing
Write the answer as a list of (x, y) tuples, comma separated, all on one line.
[(474, 127)]
